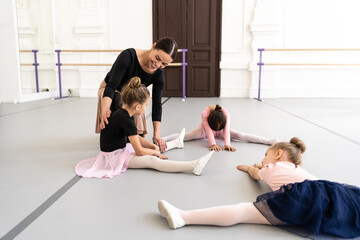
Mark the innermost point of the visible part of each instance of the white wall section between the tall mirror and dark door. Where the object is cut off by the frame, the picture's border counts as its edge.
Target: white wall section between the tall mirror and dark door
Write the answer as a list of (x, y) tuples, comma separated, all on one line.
[(98, 24)]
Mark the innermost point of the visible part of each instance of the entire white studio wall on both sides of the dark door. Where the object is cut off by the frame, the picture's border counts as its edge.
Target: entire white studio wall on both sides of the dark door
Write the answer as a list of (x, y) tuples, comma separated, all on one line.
[(246, 26)]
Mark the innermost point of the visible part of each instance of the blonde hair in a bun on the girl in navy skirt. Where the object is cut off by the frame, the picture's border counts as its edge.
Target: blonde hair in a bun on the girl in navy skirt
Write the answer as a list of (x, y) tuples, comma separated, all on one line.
[(294, 149)]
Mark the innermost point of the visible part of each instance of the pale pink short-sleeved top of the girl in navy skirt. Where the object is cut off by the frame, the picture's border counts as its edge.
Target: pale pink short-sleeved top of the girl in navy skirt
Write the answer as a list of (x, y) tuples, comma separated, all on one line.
[(280, 173)]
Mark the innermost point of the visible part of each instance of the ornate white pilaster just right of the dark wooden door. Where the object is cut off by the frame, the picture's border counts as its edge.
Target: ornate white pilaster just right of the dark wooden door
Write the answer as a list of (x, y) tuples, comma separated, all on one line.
[(236, 51)]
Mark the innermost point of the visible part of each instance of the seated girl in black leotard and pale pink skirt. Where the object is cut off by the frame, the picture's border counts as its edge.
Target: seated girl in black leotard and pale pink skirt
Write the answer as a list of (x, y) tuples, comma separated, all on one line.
[(117, 154)]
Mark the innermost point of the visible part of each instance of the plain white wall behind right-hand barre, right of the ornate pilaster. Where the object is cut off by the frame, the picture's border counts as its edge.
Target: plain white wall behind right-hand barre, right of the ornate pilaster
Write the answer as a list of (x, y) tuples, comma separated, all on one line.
[(307, 24)]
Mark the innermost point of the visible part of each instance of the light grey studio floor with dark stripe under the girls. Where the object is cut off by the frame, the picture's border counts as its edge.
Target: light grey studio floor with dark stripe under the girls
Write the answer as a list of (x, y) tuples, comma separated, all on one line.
[(42, 141)]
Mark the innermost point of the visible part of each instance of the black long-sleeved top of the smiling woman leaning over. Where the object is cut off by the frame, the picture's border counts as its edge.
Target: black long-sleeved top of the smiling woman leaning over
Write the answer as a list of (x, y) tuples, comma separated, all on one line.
[(127, 66)]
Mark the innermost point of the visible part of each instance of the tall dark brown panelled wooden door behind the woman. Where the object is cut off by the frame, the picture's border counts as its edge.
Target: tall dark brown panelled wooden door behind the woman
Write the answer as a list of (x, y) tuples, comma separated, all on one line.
[(195, 25)]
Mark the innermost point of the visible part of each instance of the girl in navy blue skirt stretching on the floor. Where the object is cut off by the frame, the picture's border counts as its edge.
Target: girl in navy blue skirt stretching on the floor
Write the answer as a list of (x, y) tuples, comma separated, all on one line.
[(298, 202)]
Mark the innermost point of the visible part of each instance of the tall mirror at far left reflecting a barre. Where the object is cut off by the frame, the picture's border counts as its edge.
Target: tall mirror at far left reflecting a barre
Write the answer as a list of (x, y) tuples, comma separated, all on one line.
[(36, 44)]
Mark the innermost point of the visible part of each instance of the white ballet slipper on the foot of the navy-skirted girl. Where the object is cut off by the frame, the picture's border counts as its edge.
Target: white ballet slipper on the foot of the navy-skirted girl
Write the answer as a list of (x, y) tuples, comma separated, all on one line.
[(171, 213)]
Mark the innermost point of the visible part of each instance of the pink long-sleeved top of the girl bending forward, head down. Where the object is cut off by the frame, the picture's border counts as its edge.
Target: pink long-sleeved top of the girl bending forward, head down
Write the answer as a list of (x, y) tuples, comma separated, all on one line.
[(212, 134)]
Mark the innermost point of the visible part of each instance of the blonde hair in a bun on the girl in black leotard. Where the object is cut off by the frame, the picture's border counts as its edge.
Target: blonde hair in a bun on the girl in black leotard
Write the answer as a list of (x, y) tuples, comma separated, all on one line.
[(134, 92)]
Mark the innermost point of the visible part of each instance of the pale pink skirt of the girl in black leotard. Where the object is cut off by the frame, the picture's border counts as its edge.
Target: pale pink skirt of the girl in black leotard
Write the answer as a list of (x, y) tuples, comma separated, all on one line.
[(106, 164)]
